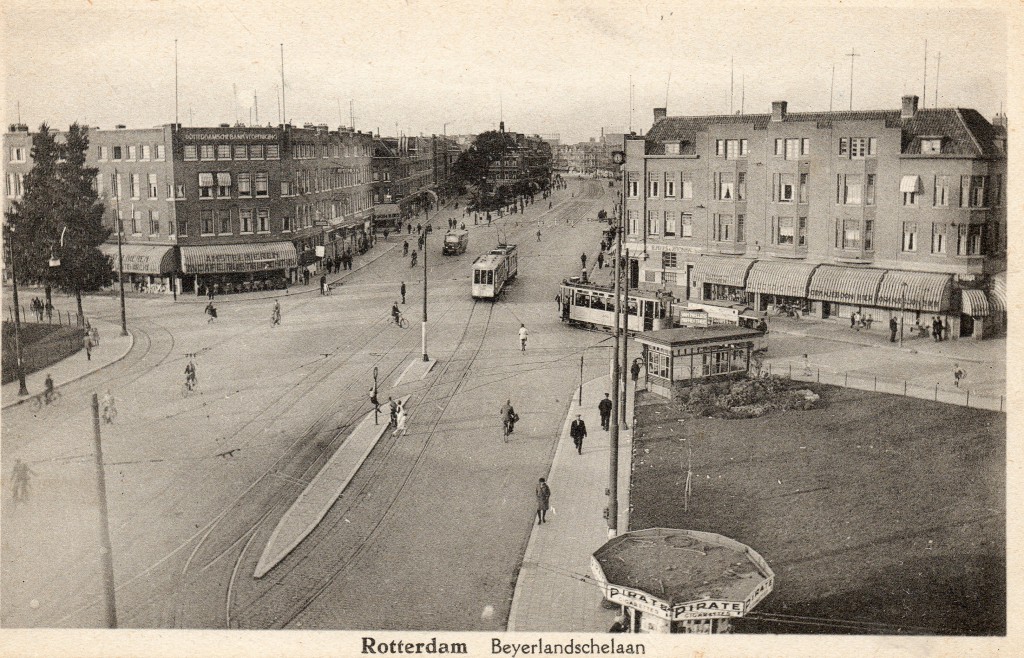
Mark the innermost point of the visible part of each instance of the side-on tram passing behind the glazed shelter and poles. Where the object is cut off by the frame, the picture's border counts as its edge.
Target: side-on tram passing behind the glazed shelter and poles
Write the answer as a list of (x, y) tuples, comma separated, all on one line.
[(594, 306)]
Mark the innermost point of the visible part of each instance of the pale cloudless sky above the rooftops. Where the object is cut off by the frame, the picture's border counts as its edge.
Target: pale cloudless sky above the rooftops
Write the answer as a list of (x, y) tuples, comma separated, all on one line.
[(459, 67)]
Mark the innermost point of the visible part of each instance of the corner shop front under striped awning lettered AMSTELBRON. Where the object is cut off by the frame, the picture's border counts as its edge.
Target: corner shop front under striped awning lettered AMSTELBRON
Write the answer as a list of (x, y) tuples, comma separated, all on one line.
[(238, 269)]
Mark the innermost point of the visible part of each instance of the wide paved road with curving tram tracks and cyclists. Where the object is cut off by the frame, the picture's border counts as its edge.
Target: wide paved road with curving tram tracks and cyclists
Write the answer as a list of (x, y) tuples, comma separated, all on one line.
[(435, 527)]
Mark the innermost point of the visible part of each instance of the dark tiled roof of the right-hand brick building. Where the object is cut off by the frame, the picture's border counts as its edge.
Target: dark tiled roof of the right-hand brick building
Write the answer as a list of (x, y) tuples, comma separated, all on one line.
[(967, 133)]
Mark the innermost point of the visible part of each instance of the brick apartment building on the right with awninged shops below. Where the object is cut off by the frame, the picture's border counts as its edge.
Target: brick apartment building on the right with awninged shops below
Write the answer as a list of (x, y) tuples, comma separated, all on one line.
[(889, 213)]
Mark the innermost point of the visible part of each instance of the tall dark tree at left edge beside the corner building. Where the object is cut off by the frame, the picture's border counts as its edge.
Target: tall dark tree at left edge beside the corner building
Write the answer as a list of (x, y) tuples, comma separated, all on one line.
[(60, 200)]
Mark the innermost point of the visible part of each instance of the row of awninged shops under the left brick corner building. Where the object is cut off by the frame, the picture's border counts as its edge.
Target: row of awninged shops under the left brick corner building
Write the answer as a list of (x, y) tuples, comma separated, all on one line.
[(239, 268)]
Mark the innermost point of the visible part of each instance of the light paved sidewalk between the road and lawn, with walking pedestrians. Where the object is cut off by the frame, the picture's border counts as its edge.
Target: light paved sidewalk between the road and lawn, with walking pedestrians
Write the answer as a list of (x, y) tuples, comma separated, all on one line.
[(556, 591)]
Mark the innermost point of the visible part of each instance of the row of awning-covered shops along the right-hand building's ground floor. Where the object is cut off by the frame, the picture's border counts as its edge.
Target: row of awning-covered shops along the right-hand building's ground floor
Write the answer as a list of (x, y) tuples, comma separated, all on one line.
[(837, 291)]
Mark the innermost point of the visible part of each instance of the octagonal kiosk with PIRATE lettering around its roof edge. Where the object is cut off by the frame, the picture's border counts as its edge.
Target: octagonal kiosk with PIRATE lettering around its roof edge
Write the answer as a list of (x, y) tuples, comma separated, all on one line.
[(672, 581)]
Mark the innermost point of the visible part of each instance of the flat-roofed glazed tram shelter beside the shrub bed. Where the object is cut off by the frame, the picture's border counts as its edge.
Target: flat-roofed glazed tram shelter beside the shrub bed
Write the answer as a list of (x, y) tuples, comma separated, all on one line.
[(691, 355)]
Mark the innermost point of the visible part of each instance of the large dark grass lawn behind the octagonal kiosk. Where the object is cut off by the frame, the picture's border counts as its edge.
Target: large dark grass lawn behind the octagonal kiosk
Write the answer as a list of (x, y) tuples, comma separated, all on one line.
[(873, 509)]
